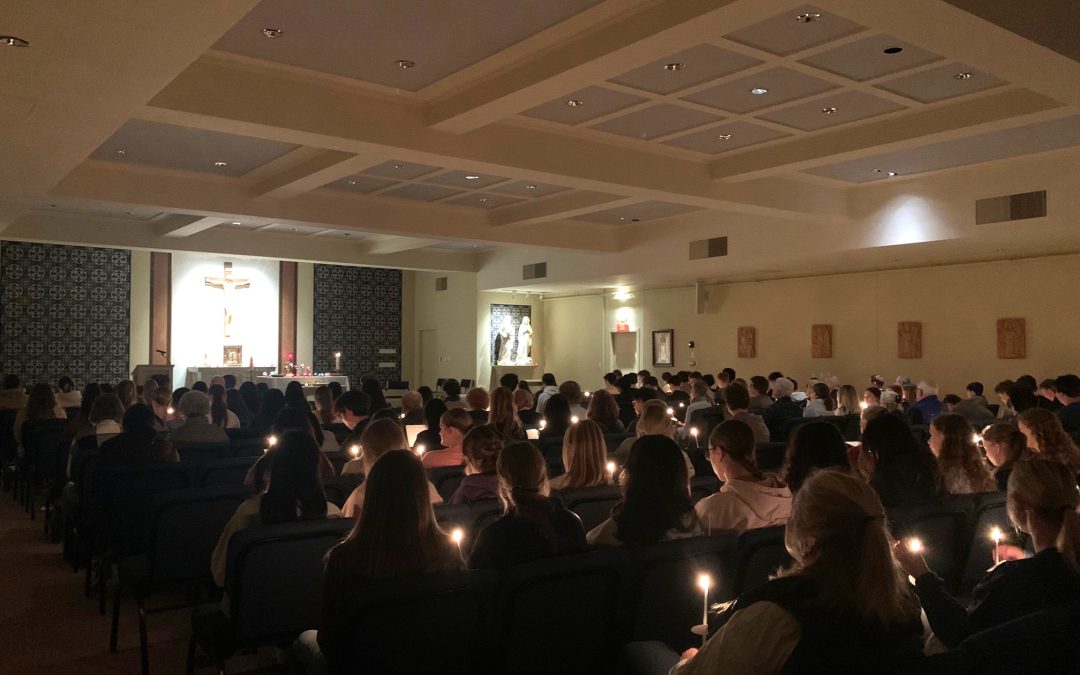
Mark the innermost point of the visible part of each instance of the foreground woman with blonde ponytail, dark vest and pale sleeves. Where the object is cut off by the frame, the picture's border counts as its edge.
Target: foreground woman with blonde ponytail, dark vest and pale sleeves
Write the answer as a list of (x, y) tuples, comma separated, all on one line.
[(843, 606)]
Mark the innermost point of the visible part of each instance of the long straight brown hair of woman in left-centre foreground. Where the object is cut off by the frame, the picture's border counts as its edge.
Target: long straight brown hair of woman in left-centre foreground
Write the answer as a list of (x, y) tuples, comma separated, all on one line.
[(397, 534)]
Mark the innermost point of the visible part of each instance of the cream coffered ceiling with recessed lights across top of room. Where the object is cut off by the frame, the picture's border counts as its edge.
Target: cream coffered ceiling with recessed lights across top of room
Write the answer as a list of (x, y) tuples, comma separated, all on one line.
[(428, 134)]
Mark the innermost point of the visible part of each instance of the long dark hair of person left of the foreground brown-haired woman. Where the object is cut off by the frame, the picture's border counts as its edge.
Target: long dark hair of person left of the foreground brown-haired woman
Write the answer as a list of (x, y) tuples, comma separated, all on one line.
[(295, 491)]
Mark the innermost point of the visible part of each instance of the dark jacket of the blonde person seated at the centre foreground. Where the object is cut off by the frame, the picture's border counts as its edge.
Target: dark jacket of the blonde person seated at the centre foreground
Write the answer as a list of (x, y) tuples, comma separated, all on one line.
[(534, 530)]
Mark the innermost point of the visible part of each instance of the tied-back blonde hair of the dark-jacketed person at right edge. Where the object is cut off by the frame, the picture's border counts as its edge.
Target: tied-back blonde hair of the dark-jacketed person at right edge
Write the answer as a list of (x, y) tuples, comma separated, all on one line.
[(1050, 490)]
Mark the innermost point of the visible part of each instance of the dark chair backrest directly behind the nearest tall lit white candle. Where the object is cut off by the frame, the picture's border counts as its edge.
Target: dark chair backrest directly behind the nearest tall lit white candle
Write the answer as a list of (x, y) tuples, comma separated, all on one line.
[(666, 601)]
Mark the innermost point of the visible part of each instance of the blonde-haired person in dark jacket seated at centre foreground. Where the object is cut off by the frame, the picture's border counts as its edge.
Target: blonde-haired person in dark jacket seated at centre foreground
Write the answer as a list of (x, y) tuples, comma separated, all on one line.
[(535, 525)]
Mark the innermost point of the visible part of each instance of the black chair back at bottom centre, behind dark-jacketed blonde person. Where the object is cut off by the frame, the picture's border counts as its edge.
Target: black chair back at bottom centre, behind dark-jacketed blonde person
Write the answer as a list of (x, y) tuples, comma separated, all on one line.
[(560, 615)]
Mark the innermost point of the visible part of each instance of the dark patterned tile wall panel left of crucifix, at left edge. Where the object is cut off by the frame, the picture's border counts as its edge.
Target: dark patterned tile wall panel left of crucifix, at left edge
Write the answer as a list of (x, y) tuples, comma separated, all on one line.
[(64, 310)]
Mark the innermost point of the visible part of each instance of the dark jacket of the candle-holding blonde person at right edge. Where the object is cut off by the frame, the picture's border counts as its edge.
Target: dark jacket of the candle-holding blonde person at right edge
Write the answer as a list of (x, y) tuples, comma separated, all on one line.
[(1010, 591)]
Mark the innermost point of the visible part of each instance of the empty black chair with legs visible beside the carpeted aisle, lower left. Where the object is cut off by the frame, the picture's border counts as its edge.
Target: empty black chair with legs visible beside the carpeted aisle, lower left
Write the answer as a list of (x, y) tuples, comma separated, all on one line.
[(185, 526)]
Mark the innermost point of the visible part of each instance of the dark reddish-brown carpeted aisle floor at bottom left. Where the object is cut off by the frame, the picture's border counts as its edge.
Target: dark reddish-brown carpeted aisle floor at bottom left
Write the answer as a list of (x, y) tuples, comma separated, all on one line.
[(48, 626)]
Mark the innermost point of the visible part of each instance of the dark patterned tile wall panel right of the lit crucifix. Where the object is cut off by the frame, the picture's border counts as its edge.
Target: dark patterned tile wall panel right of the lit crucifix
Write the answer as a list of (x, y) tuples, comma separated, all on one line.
[(358, 312)]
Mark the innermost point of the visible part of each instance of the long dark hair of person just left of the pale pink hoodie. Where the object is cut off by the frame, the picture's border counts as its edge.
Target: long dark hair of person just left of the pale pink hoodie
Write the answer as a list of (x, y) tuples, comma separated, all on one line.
[(656, 493)]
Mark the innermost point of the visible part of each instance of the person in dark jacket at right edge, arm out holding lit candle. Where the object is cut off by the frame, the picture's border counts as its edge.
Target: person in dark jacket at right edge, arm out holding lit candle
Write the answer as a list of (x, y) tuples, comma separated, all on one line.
[(1043, 502)]
